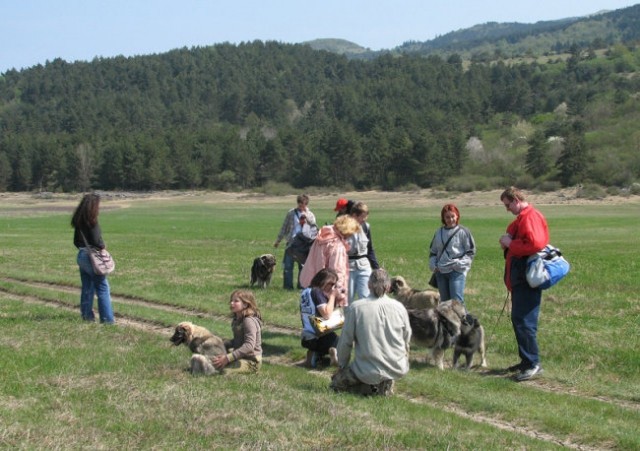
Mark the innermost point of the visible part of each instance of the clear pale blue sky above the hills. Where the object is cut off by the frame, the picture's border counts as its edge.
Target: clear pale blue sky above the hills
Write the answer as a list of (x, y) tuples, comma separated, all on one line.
[(36, 31)]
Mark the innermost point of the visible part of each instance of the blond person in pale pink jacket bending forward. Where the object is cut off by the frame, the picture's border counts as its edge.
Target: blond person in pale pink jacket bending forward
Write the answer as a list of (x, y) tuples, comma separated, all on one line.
[(329, 250)]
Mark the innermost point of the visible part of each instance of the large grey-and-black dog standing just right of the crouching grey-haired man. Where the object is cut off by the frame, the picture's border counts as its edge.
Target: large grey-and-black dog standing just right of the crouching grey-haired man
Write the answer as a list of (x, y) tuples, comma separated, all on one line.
[(437, 328)]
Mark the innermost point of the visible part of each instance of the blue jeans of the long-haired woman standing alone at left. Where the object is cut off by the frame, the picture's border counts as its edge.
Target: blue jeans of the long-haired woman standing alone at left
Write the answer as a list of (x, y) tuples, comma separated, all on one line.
[(93, 284)]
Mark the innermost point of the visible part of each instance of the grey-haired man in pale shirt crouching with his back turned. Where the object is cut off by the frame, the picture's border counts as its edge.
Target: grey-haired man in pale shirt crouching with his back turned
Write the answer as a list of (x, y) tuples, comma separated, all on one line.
[(377, 330)]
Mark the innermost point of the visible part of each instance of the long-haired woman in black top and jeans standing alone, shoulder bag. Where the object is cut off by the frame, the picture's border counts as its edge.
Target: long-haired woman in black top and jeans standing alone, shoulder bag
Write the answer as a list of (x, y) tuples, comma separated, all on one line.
[(85, 223)]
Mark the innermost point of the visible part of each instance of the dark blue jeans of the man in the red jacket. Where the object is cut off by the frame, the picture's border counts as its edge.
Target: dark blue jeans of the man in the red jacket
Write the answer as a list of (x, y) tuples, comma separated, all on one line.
[(525, 310)]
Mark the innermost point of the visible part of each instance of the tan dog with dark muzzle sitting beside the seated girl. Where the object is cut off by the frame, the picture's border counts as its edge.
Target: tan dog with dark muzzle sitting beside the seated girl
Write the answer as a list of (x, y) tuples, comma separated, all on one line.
[(203, 344)]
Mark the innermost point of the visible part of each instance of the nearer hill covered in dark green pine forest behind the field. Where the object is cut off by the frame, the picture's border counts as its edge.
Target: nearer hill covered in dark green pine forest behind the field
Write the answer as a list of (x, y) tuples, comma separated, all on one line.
[(245, 116)]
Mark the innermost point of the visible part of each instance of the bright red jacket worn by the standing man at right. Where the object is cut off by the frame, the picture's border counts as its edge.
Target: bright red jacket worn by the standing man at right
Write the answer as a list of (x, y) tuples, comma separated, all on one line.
[(529, 234)]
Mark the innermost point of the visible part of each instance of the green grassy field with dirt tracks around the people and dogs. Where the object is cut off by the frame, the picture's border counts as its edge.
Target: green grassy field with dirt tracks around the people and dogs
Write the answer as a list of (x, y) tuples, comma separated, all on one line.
[(72, 385)]
